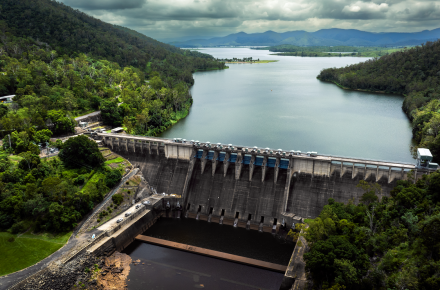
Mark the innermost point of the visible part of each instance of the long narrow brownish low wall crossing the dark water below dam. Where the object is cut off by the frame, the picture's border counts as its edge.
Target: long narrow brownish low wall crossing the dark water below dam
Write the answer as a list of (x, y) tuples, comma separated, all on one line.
[(214, 254)]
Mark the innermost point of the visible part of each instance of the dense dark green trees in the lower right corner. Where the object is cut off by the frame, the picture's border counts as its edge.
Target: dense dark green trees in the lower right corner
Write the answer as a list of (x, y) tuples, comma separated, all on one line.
[(392, 243)]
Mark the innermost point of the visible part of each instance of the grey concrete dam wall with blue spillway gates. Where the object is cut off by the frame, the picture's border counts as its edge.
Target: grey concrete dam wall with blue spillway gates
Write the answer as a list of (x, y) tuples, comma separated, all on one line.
[(253, 186)]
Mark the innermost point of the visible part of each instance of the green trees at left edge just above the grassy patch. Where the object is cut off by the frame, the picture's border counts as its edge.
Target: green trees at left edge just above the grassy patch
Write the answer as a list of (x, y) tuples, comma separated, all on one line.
[(44, 194)]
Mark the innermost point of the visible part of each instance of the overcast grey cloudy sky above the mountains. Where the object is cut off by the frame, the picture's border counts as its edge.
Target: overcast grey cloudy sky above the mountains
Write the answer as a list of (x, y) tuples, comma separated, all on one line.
[(162, 19)]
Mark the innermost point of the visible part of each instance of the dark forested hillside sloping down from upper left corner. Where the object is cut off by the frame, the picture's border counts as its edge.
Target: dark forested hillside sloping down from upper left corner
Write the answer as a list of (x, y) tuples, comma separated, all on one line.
[(71, 32)]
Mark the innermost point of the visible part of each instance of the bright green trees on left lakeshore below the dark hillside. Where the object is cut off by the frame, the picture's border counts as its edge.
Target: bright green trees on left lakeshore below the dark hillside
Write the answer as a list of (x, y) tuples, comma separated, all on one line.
[(52, 89)]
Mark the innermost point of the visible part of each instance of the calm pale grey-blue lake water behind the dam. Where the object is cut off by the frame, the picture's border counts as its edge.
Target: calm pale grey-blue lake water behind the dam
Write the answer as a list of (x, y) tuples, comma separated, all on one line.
[(283, 105)]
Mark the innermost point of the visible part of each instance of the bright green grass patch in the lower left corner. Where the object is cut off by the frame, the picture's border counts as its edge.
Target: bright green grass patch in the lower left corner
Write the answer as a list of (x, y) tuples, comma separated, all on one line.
[(27, 250)]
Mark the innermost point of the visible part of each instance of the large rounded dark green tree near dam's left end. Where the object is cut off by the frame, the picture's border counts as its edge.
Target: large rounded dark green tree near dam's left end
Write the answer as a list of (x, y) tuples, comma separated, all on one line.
[(81, 151)]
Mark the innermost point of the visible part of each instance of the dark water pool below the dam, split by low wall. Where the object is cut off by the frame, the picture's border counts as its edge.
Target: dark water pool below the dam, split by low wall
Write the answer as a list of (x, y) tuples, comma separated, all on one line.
[(164, 268)]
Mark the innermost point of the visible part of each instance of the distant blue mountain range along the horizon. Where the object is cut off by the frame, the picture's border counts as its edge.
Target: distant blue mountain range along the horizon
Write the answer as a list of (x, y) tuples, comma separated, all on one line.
[(323, 37)]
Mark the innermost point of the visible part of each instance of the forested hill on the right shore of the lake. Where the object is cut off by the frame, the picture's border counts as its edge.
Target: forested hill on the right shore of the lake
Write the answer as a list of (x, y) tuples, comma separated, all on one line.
[(415, 73)]
